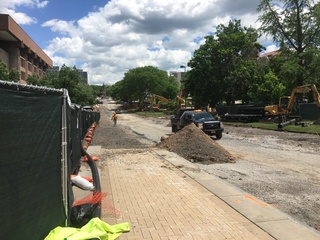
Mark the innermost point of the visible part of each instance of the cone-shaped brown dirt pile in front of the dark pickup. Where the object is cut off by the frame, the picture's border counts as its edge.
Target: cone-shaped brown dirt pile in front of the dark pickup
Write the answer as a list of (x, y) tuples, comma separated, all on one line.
[(194, 145)]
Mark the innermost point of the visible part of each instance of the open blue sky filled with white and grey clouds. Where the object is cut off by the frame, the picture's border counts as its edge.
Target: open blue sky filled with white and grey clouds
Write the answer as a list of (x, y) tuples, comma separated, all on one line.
[(107, 38)]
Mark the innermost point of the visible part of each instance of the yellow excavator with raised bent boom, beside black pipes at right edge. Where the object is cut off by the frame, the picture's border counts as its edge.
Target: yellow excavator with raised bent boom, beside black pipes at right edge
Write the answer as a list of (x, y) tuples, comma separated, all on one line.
[(286, 104)]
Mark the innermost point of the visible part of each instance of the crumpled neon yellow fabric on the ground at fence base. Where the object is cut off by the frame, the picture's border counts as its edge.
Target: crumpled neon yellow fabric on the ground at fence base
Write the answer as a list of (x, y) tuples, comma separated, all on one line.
[(95, 228)]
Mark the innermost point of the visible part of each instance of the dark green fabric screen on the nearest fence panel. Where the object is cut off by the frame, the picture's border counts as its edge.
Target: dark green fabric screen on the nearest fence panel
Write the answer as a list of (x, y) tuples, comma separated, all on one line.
[(30, 162)]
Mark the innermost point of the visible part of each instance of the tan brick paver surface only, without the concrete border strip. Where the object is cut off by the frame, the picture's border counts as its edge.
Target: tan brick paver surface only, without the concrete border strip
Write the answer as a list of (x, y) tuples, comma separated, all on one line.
[(161, 202)]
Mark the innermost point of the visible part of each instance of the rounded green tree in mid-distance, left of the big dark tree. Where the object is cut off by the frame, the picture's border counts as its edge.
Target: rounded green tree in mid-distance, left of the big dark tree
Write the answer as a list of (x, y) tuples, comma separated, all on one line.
[(139, 83)]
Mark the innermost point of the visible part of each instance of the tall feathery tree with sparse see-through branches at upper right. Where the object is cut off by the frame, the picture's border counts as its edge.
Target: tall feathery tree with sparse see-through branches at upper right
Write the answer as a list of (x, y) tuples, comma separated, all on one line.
[(295, 25)]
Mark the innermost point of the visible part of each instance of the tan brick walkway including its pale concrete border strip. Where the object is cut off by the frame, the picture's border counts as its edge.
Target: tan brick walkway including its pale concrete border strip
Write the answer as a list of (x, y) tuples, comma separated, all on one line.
[(163, 196)]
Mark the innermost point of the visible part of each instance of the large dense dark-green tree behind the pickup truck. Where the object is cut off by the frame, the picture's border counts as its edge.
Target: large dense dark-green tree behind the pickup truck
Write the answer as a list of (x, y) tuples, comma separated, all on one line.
[(223, 68)]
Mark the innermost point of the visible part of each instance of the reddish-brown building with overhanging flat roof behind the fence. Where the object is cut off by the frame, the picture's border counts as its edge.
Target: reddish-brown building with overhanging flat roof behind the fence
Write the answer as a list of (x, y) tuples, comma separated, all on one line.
[(19, 51)]
